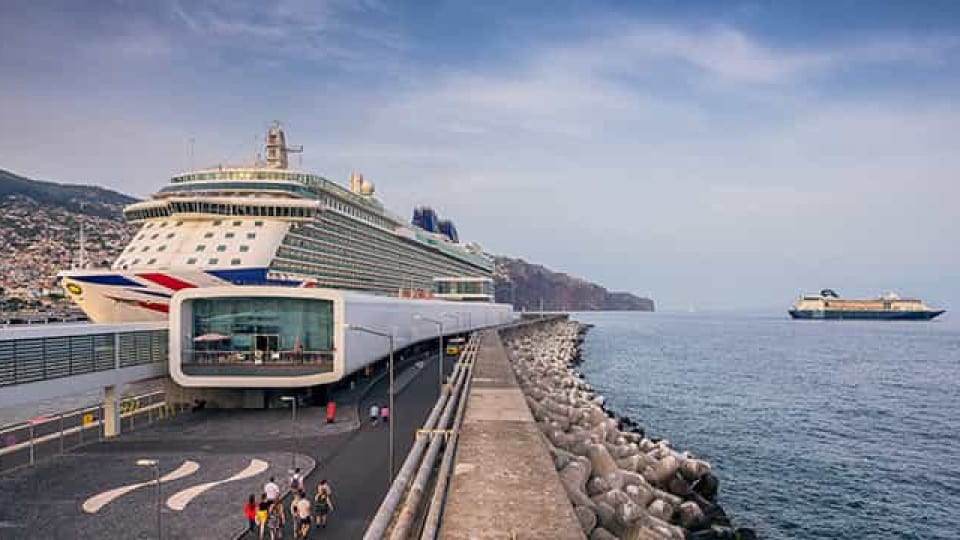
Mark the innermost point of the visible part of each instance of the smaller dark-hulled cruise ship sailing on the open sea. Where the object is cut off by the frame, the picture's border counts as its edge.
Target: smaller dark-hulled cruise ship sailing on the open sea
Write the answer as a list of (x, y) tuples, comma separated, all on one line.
[(889, 307)]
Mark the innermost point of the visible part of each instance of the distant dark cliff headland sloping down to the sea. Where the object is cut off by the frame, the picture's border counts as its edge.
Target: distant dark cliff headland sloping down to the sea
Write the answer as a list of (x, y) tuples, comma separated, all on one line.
[(524, 285)]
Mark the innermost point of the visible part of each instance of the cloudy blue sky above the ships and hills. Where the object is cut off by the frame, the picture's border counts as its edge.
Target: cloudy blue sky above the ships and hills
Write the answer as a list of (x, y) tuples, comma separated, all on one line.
[(714, 154)]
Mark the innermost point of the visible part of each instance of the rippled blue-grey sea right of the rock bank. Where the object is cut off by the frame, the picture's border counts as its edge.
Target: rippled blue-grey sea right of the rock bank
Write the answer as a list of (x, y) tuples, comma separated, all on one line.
[(816, 429)]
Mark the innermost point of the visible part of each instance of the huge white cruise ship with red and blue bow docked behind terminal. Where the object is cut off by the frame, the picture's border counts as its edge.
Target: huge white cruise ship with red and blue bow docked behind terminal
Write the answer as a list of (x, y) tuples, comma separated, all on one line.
[(269, 225)]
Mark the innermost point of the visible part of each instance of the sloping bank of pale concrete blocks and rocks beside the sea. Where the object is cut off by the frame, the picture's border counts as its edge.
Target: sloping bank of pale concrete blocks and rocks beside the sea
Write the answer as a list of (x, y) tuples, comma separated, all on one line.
[(621, 483)]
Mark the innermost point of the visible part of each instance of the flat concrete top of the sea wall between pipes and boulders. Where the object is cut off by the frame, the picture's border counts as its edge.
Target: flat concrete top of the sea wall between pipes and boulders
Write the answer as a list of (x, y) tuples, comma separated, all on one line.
[(504, 483)]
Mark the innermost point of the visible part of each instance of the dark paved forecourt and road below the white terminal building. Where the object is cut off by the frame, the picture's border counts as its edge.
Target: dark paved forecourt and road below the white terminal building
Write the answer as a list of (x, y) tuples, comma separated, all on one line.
[(45, 501)]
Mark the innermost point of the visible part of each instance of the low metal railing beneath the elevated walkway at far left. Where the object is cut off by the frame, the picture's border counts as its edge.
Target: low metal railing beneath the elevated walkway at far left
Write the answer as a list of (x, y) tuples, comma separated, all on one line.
[(46, 436)]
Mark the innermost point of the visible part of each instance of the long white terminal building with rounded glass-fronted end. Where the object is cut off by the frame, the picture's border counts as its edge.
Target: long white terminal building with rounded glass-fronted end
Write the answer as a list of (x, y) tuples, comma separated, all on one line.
[(284, 337)]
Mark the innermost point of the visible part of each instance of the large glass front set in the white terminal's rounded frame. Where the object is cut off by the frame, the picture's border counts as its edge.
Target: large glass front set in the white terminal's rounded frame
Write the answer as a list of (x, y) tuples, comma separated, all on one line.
[(260, 330)]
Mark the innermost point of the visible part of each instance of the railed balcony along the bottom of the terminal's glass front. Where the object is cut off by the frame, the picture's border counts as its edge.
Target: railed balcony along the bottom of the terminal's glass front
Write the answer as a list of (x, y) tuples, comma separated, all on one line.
[(281, 363)]
